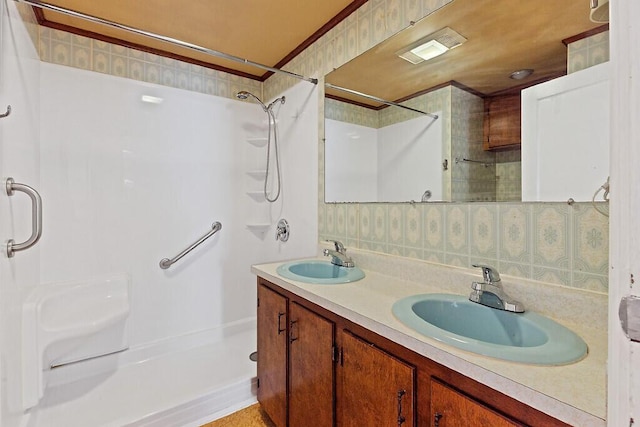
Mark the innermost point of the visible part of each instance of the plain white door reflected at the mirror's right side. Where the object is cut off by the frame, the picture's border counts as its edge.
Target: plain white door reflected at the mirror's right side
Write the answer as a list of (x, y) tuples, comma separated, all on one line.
[(565, 136)]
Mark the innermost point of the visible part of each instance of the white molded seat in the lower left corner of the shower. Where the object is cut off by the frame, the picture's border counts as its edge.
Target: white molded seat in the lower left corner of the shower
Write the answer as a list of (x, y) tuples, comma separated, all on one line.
[(70, 322)]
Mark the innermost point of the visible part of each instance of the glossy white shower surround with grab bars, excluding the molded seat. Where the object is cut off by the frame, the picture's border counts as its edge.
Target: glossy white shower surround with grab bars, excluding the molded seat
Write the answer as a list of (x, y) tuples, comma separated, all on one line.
[(124, 184)]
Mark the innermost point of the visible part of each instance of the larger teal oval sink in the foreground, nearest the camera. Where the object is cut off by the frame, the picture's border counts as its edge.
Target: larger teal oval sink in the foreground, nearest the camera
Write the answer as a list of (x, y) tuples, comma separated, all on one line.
[(518, 337)]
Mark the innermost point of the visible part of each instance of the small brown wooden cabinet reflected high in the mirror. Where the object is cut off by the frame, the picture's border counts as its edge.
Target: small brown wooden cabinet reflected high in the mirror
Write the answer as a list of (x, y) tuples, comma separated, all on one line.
[(502, 122)]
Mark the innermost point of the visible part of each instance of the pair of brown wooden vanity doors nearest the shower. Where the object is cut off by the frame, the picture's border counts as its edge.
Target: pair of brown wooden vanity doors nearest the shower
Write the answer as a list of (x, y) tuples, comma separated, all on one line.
[(296, 354)]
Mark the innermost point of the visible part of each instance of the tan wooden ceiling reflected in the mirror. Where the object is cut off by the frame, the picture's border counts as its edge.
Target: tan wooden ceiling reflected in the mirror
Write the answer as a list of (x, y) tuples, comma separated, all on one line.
[(503, 36)]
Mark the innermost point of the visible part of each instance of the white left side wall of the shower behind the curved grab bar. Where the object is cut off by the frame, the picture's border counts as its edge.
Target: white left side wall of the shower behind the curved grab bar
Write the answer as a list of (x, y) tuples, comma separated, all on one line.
[(19, 154)]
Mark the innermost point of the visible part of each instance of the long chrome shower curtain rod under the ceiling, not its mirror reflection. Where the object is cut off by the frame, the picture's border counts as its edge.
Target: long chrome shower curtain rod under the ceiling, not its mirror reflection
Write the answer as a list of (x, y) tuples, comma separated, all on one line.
[(180, 43)]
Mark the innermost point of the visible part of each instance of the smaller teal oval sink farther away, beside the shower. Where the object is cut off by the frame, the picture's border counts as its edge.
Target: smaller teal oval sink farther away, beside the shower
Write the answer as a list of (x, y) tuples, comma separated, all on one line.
[(319, 272)]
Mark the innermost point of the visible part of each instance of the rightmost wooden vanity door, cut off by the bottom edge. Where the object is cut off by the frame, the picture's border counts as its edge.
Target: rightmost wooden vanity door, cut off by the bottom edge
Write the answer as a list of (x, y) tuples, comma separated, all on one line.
[(450, 408)]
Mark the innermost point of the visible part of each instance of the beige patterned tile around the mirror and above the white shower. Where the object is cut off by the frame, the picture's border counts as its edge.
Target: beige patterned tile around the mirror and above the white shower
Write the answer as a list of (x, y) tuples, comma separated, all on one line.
[(553, 242)]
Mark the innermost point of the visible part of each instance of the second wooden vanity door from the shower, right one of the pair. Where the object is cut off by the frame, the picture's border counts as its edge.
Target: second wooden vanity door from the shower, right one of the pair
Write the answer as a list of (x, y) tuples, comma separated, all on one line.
[(310, 369)]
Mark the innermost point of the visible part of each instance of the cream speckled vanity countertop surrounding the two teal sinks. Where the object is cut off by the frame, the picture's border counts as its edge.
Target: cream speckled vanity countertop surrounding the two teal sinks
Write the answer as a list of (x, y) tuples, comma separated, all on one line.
[(575, 393)]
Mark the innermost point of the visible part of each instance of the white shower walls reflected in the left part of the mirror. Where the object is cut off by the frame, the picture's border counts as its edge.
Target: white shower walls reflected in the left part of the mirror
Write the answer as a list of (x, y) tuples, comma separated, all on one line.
[(396, 162)]
